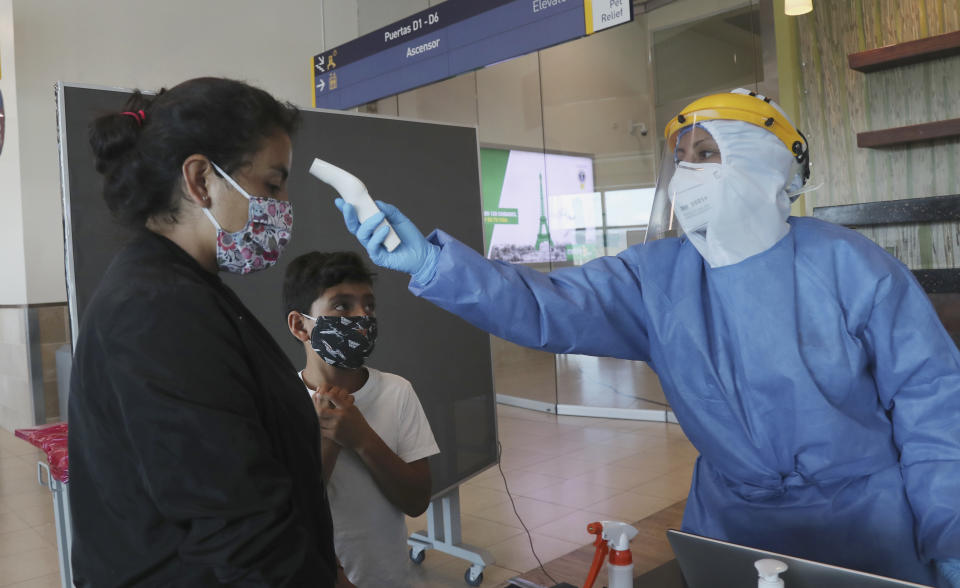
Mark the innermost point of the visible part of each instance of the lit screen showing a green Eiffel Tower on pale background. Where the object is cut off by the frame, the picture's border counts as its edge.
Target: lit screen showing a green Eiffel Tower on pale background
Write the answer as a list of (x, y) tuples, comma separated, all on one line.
[(537, 207)]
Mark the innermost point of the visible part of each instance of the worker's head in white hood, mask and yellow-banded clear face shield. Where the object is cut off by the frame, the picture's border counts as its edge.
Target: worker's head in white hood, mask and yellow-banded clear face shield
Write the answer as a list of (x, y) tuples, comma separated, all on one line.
[(700, 186)]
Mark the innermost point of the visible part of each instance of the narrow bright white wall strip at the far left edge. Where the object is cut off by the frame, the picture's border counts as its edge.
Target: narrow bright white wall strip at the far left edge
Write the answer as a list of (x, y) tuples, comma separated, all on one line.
[(13, 287)]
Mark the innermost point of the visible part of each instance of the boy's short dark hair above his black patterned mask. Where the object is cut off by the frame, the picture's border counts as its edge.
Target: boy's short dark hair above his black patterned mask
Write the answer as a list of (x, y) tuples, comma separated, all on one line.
[(309, 275)]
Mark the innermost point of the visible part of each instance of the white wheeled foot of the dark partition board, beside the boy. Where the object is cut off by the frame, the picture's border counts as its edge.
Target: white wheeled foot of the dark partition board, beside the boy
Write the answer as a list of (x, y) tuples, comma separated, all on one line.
[(443, 534)]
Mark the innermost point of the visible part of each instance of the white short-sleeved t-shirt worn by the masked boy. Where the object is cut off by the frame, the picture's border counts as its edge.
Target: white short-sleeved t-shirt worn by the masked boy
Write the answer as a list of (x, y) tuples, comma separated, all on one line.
[(370, 533)]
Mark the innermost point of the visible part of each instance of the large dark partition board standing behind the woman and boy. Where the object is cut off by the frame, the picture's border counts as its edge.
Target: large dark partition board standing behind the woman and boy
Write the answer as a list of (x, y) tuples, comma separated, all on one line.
[(430, 171)]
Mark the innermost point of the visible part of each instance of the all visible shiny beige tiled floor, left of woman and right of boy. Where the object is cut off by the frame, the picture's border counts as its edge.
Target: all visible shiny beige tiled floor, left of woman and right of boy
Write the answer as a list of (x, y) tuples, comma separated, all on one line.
[(563, 472)]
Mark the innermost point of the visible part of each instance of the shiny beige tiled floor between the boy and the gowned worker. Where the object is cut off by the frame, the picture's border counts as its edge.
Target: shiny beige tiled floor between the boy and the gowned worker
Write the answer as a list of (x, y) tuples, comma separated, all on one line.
[(564, 472)]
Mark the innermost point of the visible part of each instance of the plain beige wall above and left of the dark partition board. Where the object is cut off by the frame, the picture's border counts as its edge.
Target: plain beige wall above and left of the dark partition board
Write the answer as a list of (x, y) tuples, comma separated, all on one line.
[(128, 43)]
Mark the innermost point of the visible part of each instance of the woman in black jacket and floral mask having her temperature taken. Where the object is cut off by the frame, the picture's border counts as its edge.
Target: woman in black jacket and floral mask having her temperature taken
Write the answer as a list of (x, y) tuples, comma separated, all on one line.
[(194, 451)]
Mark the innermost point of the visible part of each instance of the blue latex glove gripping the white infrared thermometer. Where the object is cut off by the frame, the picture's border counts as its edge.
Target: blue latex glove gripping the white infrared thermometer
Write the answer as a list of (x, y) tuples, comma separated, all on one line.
[(415, 255)]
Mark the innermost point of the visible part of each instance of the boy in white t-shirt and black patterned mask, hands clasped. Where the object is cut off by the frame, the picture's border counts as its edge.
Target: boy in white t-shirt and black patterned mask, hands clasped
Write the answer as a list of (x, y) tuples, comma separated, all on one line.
[(375, 436)]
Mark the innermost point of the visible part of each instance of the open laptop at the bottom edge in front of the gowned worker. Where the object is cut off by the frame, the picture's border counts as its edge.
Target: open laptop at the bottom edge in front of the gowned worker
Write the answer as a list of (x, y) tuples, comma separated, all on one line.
[(706, 563)]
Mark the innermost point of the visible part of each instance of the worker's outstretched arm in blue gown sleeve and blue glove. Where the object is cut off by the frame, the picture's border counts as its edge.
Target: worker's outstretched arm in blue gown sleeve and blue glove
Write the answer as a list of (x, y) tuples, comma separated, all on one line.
[(595, 309)]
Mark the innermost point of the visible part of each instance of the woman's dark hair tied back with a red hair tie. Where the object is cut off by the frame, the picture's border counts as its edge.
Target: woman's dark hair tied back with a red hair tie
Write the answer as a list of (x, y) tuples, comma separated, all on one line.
[(140, 149)]
